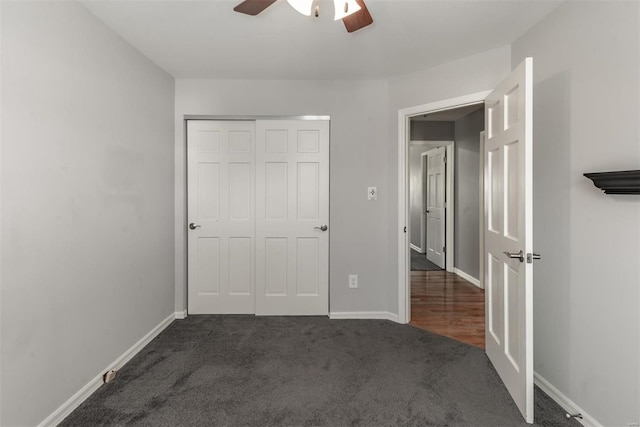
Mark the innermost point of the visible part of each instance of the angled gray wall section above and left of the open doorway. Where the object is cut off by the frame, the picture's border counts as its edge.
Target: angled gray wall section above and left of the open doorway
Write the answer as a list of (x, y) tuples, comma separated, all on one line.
[(472, 74)]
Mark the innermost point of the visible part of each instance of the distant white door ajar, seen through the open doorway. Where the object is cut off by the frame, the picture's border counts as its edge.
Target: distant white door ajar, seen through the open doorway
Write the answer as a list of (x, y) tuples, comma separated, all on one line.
[(435, 206)]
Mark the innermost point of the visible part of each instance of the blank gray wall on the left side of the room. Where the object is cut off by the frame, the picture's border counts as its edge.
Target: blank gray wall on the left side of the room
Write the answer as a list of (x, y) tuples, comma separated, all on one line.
[(87, 203)]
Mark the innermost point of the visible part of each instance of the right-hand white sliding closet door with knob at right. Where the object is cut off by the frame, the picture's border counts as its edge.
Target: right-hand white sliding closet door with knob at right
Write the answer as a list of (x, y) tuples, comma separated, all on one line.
[(292, 203)]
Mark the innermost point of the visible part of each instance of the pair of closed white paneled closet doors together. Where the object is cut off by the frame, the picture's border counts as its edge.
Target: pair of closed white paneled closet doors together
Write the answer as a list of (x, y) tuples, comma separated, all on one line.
[(252, 243)]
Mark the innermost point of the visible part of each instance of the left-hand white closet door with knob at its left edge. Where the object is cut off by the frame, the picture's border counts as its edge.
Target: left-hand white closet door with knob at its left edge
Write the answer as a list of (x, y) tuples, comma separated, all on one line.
[(221, 216)]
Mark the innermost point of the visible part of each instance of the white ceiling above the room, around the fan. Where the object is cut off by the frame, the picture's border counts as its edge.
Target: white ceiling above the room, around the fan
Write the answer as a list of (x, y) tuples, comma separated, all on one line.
[(206, 39)]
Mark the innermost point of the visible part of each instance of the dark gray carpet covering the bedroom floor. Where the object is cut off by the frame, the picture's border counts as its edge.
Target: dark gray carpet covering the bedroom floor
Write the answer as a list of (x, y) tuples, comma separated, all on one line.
[(306, 371)]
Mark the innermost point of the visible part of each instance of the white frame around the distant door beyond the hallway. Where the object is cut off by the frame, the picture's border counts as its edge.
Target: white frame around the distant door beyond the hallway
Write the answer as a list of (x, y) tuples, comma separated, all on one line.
[(449, 194)]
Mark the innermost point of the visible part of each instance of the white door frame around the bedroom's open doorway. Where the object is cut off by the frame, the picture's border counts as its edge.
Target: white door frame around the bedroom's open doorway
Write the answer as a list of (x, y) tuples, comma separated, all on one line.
[(404, 258)]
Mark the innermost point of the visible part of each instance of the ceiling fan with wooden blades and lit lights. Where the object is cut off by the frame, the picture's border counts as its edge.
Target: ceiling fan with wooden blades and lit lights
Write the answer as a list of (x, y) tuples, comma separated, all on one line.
[(354, 13)]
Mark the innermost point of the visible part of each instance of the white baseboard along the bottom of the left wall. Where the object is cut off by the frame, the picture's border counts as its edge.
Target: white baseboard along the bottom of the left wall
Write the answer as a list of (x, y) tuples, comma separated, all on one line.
[(67, 407)]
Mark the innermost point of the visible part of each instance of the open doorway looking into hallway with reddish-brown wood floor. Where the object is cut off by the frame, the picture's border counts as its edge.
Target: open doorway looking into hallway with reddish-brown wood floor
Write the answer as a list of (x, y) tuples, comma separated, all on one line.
[(448, 301)]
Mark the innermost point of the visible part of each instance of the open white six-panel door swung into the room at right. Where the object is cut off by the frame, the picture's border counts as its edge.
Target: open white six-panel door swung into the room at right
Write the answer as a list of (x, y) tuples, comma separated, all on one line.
[(509, 234)]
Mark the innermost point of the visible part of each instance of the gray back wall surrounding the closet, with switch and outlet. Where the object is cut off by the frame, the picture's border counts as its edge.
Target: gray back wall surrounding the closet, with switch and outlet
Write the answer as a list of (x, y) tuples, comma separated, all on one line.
[(358, 243)]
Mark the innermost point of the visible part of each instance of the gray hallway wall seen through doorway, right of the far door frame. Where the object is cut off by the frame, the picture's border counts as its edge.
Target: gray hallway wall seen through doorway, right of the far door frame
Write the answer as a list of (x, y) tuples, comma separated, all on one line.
[(467, 193)]
